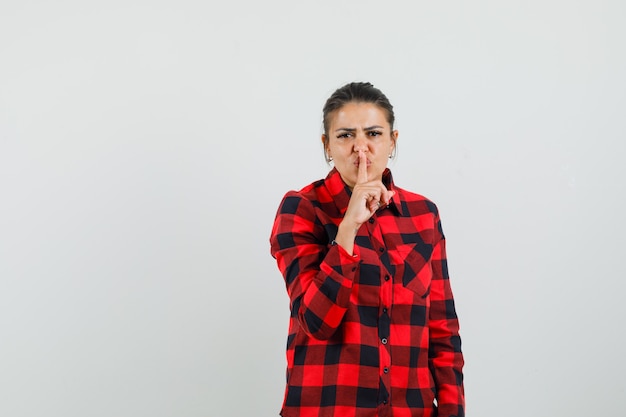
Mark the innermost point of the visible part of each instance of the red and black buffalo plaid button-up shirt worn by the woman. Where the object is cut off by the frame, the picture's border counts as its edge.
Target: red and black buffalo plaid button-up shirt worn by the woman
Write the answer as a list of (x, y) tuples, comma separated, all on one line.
[(374, 334)]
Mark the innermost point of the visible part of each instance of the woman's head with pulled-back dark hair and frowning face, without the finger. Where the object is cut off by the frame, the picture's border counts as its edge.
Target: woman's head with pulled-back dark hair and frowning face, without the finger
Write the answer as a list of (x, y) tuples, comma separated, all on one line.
[(358, 117)]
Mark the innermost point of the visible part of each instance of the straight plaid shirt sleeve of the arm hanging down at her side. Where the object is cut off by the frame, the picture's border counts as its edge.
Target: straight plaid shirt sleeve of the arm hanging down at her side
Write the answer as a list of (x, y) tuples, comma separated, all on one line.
[(445, 356)]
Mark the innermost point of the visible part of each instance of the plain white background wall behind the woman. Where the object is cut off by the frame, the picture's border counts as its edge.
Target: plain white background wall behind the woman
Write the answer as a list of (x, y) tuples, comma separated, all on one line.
[(145, 146)]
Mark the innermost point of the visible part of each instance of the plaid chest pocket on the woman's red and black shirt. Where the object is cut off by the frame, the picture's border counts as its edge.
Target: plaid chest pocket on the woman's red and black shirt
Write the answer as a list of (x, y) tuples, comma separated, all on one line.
[(414, 266)]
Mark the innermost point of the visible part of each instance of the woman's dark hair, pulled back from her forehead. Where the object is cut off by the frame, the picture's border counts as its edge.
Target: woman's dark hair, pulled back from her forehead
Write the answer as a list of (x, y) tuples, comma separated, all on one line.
[(358, 92)]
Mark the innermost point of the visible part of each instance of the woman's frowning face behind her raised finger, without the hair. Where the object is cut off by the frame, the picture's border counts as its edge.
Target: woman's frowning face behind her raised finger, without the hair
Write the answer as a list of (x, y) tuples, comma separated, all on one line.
[(355, 127)]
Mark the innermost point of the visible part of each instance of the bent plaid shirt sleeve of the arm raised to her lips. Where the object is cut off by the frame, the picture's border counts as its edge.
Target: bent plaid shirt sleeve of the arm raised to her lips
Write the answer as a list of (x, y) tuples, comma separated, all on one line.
[(318, 274)]
